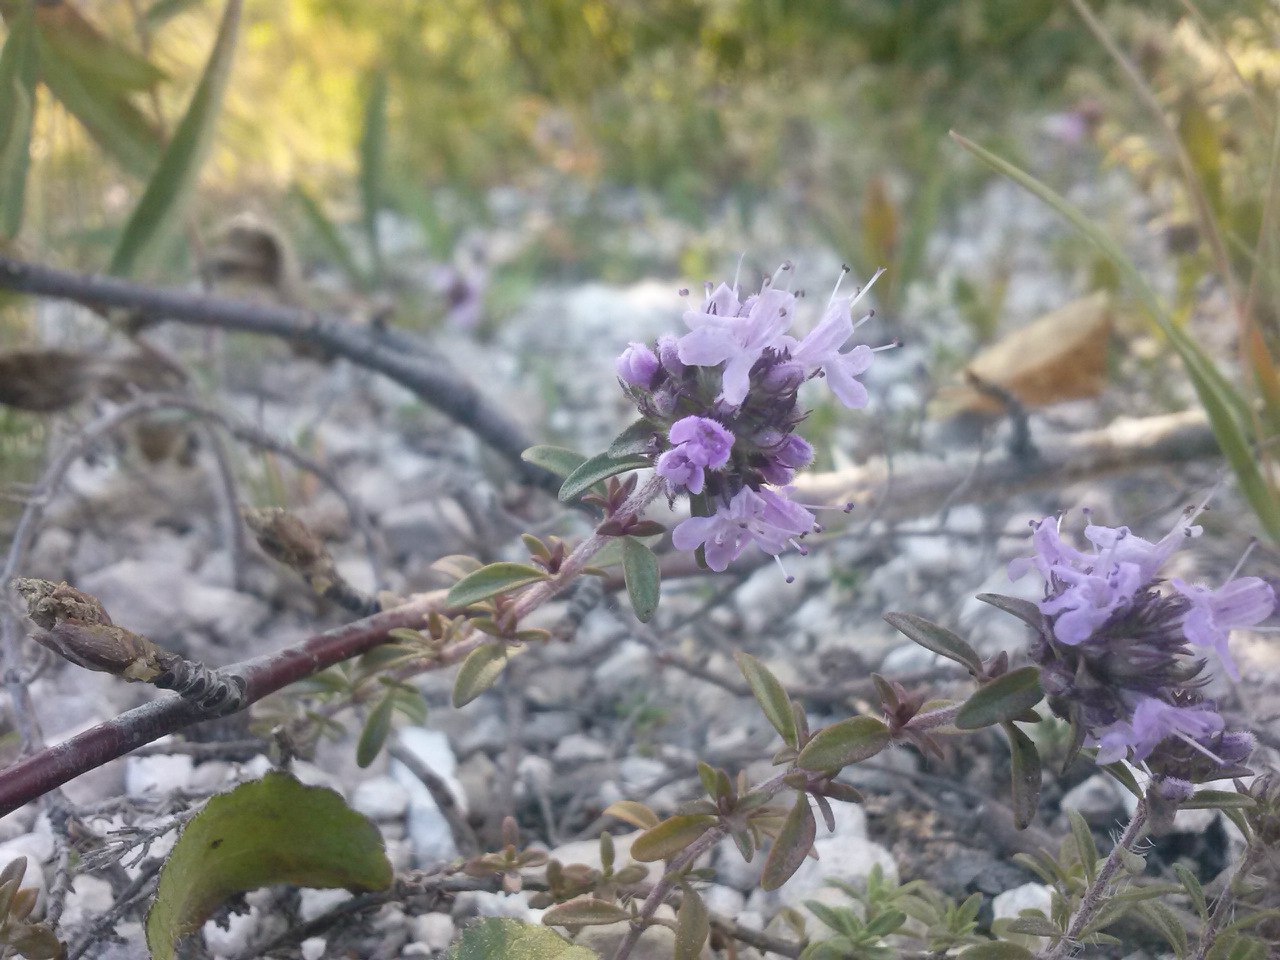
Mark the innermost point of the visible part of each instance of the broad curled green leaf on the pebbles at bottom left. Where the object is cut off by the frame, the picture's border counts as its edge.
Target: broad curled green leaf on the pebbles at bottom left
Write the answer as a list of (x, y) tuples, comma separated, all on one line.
[(268, 831)]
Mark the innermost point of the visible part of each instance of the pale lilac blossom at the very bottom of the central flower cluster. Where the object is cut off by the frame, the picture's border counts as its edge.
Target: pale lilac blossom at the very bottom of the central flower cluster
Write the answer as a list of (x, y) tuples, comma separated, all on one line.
[(766, 518)]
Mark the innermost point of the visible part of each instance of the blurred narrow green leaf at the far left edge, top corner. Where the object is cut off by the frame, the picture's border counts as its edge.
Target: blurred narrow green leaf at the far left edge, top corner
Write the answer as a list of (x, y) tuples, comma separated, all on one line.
[(19, 71)]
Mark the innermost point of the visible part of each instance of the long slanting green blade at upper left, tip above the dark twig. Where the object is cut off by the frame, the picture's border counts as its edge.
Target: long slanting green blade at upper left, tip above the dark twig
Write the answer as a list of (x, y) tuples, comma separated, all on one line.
[(173, 184)]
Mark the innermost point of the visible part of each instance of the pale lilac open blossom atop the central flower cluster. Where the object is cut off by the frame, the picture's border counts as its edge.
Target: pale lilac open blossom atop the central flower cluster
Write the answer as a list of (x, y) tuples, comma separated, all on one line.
[(735, 341)]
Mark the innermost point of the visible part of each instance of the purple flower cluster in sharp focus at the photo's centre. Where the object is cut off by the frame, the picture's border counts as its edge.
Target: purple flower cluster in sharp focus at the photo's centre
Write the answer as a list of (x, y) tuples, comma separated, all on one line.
[(723, 405)]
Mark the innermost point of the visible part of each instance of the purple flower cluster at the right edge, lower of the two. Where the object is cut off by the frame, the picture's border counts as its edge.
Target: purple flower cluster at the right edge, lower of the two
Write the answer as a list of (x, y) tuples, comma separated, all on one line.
[(1118, 650)]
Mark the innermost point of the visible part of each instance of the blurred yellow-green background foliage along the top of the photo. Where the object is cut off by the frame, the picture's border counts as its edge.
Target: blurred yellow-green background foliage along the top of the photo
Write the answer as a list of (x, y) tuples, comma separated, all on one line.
[(835, 111)]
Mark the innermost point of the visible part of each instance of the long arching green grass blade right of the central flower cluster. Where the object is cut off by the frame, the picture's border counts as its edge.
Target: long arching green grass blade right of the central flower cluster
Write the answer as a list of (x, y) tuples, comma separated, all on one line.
[(1228, 413)]
